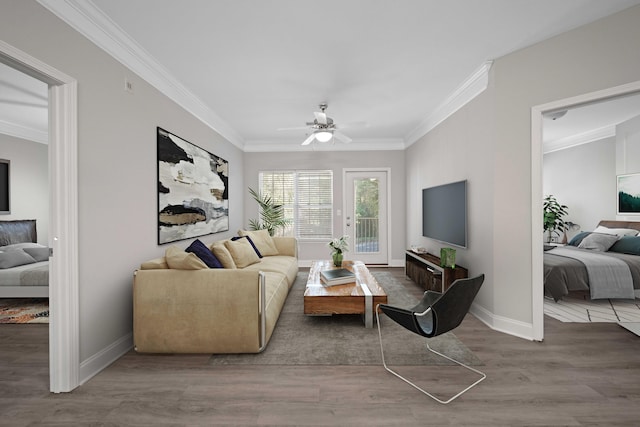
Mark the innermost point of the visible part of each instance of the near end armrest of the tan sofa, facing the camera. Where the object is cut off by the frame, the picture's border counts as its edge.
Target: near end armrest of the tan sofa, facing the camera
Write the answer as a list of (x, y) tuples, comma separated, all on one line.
[(198, 311)]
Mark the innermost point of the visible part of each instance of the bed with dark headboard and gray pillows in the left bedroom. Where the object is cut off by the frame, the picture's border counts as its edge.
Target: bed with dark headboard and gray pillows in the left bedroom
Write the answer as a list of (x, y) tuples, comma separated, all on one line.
[(24, 264)]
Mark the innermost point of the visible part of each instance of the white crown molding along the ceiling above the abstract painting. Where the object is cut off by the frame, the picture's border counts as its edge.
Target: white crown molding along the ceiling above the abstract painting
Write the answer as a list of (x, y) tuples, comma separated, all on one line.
[(88, 20)]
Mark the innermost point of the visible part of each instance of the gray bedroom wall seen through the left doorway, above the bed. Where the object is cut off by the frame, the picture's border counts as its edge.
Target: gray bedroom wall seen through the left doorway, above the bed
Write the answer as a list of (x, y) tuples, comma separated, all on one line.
[(29, 182)]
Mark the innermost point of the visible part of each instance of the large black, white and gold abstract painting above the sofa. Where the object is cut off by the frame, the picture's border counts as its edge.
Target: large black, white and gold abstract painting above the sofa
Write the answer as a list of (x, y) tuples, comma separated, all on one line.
[(193, 190)]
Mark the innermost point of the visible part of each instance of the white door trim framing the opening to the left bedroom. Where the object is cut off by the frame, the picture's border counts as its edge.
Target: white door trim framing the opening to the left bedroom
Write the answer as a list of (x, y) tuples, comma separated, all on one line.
[(64, 354)]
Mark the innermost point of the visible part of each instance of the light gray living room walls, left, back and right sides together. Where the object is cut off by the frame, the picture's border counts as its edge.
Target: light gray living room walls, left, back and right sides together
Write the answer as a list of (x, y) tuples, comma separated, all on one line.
[(487, 141)]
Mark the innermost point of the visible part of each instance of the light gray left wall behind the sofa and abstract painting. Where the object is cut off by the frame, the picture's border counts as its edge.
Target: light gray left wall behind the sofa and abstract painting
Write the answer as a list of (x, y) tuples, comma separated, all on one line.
[(117, 191)]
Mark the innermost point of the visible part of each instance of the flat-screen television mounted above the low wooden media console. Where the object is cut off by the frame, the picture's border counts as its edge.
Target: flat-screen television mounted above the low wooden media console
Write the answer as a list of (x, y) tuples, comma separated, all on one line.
[(444, 213)]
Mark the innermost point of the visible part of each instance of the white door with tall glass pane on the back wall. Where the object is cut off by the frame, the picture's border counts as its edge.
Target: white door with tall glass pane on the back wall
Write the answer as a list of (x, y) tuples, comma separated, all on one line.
[(366, 215)]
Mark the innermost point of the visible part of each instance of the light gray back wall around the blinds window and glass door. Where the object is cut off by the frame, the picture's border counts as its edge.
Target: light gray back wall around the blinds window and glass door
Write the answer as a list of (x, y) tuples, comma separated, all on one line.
[(336, 161)]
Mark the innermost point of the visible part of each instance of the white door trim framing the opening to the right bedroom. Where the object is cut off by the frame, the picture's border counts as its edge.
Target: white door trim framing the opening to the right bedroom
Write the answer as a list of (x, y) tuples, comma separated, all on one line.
[(537, 111)]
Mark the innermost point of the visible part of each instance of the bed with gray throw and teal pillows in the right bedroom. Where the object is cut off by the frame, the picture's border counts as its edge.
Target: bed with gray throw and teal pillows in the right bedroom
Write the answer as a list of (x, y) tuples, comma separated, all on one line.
[(604, 262)]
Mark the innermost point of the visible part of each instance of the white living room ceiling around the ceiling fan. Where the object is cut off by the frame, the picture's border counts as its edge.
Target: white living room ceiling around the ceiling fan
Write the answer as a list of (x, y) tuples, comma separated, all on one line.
[(251, 66)]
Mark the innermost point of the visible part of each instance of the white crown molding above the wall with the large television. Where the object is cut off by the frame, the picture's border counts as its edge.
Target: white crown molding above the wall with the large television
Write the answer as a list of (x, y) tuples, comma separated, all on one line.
[(473, 86)]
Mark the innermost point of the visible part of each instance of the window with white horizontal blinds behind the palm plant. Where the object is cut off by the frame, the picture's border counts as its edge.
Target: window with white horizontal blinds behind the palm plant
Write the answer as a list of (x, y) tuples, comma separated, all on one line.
[(307, 197)]
